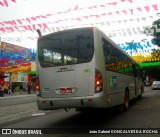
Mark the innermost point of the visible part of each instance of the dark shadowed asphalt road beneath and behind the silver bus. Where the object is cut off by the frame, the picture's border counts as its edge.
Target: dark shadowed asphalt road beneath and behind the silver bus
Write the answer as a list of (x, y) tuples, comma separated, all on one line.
[(143, 113)]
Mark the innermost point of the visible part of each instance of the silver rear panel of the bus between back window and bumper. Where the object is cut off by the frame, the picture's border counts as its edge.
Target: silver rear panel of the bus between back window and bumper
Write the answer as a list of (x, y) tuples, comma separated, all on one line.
[(80, 78)]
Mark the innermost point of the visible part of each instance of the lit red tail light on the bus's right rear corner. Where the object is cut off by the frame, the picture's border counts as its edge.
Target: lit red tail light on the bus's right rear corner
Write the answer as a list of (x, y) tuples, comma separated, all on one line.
[(98, 82)]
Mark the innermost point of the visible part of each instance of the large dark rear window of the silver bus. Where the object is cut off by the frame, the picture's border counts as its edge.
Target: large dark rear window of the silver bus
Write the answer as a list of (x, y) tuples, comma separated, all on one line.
[(66, 48)]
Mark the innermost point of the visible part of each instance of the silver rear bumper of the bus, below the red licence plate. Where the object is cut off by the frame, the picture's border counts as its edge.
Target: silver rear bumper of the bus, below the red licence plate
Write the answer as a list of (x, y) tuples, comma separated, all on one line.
[(83, 102)]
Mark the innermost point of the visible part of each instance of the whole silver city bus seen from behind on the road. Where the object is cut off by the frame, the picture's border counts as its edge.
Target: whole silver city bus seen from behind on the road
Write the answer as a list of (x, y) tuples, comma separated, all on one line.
[(82, 68)]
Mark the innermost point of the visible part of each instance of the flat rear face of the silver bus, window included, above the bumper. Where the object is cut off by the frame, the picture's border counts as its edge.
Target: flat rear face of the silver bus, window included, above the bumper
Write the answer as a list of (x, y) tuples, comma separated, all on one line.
[(67, 64)]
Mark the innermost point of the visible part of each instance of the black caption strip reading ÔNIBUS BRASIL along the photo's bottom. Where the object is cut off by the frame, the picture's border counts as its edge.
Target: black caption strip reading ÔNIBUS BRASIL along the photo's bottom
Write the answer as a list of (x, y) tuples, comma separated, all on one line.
[(39, 131)]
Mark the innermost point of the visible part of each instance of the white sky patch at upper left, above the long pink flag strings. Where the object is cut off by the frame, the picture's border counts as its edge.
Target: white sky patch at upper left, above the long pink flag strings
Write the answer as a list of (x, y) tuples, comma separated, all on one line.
[(30, 8)]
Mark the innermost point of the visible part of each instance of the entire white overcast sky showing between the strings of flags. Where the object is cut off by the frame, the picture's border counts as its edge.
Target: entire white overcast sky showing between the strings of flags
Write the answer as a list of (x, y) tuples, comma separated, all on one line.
[(22, 9)]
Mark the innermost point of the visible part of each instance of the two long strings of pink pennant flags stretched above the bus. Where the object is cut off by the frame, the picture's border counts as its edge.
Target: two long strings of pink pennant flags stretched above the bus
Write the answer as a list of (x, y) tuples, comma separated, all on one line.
[(44, 21)]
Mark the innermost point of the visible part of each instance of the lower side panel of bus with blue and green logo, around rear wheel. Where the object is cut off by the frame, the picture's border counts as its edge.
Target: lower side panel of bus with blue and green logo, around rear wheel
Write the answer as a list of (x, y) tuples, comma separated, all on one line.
[(116, 85)]
